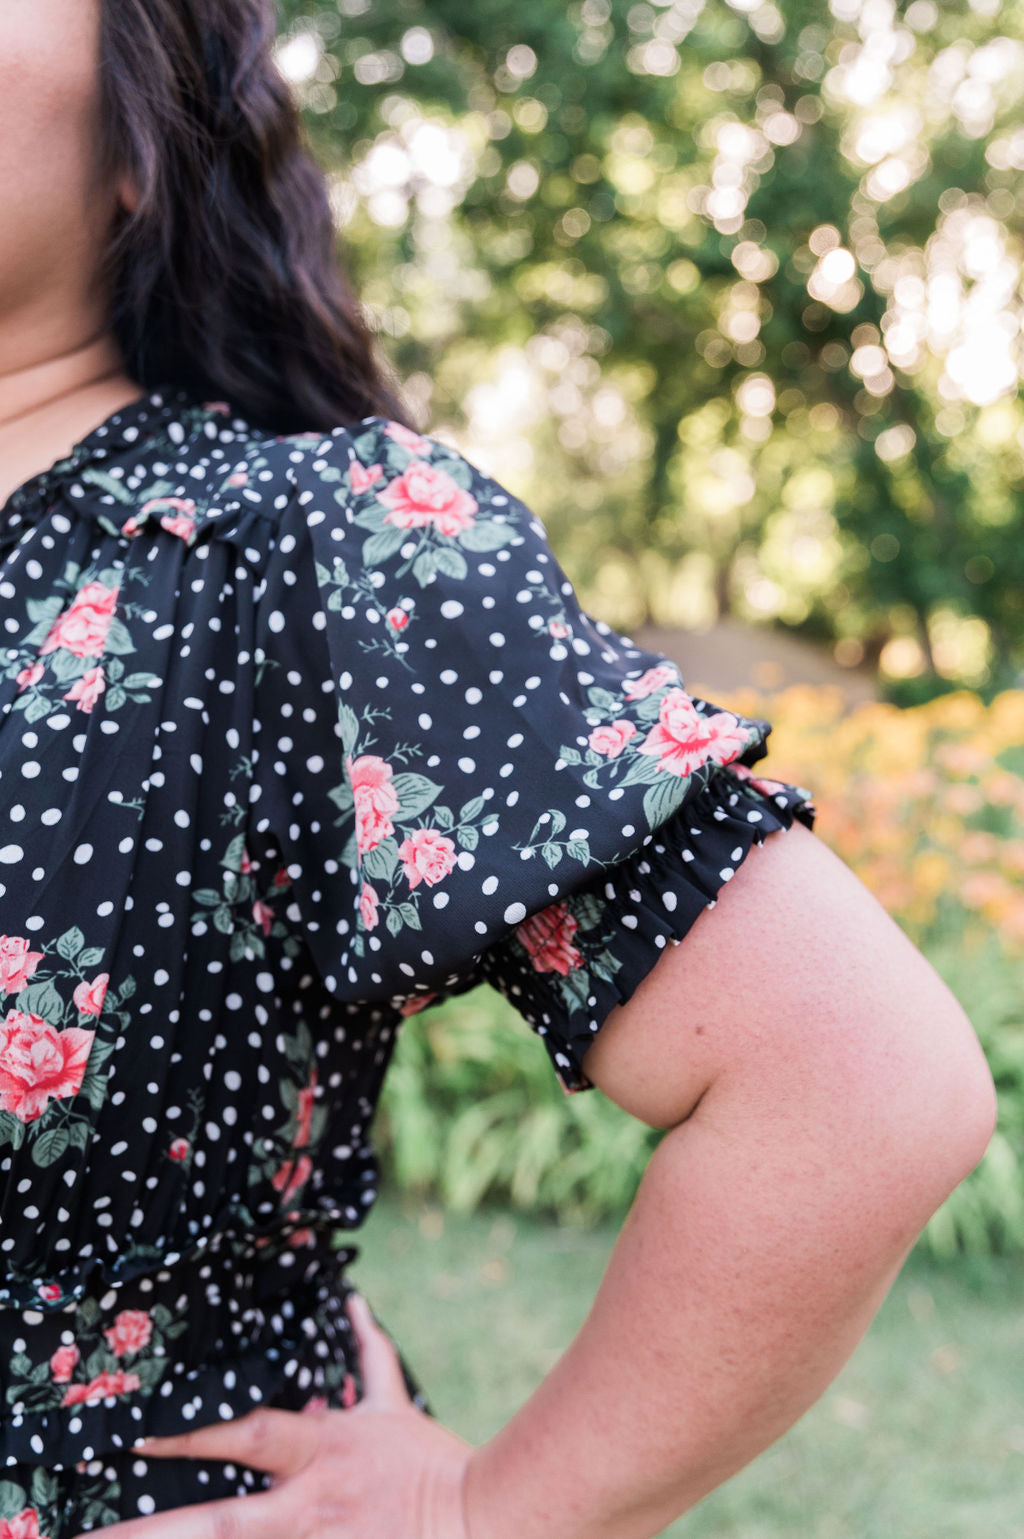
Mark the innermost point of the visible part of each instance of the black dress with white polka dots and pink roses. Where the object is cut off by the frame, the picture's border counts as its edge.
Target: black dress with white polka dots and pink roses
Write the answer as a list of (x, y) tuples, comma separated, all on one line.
[(298, 736)]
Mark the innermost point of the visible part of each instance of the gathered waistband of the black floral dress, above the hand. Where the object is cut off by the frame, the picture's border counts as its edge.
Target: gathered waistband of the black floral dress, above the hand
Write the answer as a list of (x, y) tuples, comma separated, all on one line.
[(236, 1323)]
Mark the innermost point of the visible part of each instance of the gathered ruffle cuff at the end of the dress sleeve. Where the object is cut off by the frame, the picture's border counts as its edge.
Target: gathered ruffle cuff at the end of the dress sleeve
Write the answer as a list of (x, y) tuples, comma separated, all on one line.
[(569, 966)]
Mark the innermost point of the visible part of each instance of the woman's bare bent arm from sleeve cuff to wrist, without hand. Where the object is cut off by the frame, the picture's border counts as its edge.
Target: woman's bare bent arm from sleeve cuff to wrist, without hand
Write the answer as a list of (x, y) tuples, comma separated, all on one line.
[(823, 1093)]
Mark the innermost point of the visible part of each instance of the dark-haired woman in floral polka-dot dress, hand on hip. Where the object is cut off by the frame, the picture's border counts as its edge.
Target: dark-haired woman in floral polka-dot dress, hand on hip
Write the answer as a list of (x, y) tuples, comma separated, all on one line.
[(303, 730)]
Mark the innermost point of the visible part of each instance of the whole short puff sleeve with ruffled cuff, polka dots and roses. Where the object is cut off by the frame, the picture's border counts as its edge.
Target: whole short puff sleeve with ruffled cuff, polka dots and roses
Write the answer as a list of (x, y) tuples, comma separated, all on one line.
[(478, 781)]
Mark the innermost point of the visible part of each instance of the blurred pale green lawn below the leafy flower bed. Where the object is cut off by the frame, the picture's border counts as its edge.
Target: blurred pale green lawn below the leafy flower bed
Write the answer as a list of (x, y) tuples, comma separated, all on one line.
[(920, 1438)]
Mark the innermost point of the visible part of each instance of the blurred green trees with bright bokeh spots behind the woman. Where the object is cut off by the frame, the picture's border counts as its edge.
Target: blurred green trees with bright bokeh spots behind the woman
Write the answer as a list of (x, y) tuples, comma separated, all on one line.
[(740, 278)]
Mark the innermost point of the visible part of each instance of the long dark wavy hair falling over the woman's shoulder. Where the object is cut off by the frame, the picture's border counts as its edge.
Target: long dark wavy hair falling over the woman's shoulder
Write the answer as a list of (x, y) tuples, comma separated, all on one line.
[(226, 278)]
